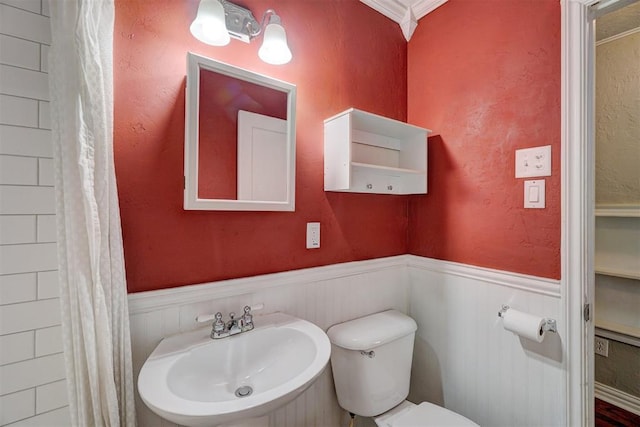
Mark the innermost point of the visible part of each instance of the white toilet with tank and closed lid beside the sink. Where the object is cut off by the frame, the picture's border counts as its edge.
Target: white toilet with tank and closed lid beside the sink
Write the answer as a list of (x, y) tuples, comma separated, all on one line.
[(371, 360)]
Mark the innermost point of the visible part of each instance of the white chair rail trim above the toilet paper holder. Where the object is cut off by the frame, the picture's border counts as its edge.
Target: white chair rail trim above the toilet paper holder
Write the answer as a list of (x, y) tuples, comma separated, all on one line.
[(538, 285)]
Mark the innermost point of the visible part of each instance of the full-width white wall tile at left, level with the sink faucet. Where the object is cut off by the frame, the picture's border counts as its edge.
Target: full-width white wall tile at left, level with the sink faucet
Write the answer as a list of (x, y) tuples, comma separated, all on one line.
[(29, 315)]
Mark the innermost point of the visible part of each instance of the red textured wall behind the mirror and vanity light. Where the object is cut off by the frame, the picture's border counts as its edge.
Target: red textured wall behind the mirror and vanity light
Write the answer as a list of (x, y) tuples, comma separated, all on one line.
[(345, 54)]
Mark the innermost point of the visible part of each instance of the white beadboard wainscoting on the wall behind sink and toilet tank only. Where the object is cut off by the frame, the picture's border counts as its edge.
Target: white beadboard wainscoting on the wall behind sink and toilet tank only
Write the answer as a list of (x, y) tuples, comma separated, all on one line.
[(322, 295)]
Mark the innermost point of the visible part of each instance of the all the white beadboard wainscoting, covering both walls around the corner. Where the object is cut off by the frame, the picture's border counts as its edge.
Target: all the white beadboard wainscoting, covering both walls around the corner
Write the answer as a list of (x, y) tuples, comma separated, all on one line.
[(463, 360)]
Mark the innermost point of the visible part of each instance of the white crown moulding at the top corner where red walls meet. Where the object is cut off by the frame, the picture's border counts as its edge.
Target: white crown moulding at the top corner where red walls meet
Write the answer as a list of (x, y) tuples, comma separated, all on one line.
[(404, 12)]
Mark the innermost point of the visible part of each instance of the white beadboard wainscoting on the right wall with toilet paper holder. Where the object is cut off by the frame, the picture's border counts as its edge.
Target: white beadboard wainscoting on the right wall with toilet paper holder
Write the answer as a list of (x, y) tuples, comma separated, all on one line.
[(465, 360)]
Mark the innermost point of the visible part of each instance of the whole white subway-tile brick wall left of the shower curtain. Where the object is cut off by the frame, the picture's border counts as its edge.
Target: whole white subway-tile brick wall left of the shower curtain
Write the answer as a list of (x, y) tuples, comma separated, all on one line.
[(32, 384)]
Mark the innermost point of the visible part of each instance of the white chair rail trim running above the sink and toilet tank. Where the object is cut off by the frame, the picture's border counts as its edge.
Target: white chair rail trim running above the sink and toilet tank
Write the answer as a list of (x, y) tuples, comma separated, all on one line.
[(143, 302)]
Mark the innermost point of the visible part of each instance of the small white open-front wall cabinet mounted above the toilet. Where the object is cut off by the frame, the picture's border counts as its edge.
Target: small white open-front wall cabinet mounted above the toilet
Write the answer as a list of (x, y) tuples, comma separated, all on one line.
[(367, 153)]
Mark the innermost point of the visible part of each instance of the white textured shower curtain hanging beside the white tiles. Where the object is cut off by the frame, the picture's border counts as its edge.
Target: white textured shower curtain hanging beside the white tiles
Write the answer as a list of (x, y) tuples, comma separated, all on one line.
[(93, 295)]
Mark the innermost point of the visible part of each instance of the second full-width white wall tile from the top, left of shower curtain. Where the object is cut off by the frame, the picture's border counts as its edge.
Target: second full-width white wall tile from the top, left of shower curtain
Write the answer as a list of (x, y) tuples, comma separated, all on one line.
[(26, 83)]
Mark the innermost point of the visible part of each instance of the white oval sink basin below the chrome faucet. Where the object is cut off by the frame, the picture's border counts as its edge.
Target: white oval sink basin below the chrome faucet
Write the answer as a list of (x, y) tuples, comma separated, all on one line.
[(192, 380)]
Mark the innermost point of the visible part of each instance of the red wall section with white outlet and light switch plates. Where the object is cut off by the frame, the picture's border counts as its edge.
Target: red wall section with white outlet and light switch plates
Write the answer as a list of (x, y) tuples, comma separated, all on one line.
[(485, 76)]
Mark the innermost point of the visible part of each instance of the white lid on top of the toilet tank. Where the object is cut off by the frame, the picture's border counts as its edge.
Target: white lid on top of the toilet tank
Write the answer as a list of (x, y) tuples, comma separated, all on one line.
[(366, 333)]
